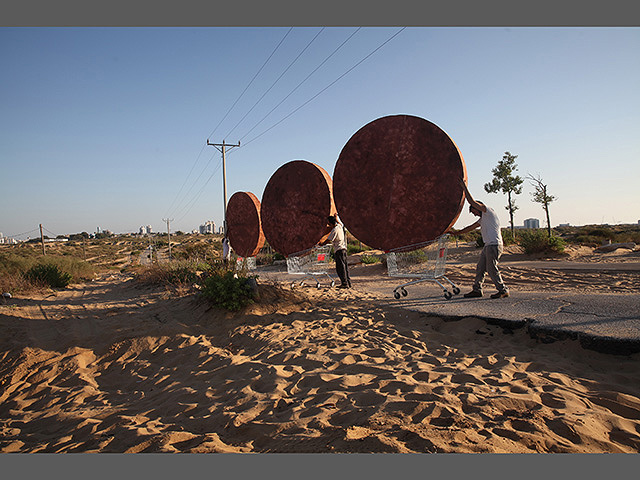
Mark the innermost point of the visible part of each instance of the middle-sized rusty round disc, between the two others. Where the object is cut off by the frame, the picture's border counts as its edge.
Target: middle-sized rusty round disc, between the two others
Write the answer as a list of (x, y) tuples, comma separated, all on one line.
[(295, 205)]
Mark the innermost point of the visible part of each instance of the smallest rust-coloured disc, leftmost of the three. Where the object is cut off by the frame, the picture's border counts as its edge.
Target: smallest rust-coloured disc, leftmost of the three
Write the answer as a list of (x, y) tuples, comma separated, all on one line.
[(243, 224)]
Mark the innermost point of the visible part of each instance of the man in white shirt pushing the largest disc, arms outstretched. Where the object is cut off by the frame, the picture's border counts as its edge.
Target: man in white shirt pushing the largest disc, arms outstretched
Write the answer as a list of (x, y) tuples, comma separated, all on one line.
[(493, 246)]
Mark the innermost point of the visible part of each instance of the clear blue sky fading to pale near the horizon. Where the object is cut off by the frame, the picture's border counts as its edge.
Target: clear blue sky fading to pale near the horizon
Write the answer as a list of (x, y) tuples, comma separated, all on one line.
[(107, 127)]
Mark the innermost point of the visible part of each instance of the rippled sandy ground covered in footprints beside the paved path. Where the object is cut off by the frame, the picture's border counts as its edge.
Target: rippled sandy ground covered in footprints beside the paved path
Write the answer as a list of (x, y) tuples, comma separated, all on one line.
[(114, 366)]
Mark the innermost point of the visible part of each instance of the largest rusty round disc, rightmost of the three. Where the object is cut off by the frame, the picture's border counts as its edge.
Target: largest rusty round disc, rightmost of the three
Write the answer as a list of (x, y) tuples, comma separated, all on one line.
[(396, 182)]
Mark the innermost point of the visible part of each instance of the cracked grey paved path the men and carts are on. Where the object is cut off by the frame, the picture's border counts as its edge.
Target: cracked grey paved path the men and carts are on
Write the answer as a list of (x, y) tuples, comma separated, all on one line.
[(608, 323)]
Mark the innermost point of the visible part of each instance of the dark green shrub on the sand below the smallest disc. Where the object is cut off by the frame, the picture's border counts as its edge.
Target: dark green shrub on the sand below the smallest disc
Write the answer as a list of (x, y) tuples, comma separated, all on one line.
[(229, 289)]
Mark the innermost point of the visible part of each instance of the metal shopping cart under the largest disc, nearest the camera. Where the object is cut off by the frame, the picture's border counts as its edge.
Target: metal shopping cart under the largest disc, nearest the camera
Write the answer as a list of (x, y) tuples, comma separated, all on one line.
[(422, 261)]
